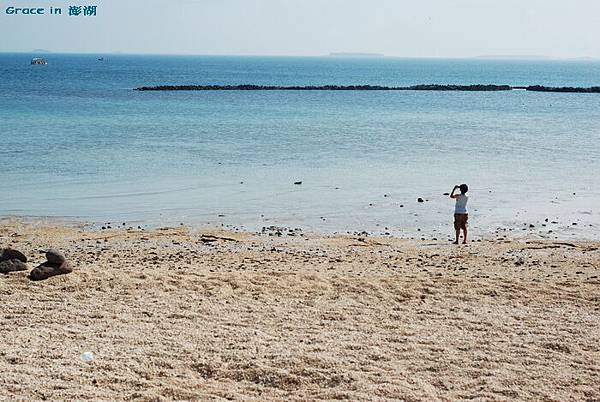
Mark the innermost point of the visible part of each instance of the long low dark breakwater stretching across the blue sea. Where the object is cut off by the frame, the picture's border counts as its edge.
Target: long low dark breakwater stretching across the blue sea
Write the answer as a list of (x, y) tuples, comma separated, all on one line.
[(422, 87)]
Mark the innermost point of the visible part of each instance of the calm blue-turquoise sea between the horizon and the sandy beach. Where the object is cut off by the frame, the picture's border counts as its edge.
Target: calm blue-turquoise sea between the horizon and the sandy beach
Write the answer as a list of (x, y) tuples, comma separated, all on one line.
[(78, 142)]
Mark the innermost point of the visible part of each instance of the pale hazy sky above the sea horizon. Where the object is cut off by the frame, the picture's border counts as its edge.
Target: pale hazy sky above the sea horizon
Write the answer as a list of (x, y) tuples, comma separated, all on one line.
[(417, 28)]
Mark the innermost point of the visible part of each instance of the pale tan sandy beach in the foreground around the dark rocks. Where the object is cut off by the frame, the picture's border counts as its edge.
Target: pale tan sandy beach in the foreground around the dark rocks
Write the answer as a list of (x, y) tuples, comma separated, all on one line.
[(184, 314)]
